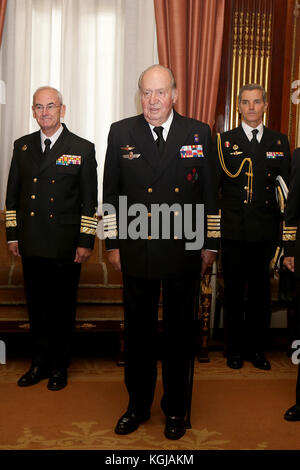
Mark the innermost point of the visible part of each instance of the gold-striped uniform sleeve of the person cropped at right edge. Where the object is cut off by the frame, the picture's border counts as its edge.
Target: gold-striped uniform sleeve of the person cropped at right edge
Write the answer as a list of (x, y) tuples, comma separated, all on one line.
[(292, 211)]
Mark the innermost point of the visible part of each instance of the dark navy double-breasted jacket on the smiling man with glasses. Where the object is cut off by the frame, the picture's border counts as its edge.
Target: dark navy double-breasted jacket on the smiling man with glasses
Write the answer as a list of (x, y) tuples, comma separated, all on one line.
[(51, 201)]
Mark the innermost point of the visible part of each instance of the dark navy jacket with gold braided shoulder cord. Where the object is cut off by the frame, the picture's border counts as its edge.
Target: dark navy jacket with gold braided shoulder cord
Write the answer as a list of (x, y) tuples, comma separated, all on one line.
[(245, 215)]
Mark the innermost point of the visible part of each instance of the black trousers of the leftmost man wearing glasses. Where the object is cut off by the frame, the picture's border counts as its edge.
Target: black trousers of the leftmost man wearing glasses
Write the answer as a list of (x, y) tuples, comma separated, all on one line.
[(51, 292)]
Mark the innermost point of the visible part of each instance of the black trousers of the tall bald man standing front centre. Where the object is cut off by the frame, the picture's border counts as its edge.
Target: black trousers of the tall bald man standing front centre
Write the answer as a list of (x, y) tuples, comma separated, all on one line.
[(141, 298)]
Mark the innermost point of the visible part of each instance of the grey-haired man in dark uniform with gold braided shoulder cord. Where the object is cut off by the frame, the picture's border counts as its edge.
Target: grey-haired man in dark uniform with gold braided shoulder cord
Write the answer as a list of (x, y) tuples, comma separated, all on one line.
[(249, 159)]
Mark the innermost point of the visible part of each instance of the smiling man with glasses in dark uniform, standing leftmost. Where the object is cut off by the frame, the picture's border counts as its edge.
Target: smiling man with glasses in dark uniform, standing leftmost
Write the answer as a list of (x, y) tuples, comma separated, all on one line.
[(51, 223)]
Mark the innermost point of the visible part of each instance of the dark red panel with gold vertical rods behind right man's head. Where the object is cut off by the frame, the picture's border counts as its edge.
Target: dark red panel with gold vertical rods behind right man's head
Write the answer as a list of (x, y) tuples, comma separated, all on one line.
[(254, 48)]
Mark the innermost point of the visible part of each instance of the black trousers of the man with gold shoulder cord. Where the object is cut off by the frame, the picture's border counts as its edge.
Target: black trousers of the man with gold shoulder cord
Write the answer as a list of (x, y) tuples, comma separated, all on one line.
[(247, 294)]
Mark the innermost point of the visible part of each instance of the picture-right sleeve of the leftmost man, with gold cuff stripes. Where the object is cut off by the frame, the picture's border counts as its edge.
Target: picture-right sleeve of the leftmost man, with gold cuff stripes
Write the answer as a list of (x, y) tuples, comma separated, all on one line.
[(89, 200)]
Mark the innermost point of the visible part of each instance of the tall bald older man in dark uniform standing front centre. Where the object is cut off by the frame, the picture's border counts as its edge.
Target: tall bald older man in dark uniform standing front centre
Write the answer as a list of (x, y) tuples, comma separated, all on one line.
[(159, 159)]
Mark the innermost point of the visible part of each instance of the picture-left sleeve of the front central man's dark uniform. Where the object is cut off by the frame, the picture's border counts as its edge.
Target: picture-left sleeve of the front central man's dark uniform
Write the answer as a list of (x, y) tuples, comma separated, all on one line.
[(111, 191)]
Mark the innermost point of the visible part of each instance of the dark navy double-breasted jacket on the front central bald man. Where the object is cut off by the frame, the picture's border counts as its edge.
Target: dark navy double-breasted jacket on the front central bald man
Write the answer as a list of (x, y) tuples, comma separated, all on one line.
[(184, 174)]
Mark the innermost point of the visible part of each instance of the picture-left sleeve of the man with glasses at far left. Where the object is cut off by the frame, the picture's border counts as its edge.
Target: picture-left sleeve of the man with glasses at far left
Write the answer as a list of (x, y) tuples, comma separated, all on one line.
[(12, 199)]
